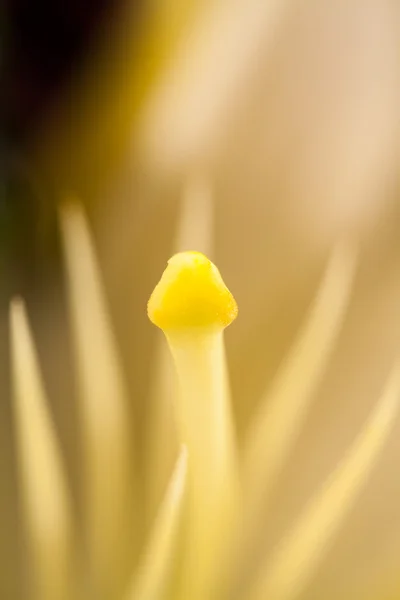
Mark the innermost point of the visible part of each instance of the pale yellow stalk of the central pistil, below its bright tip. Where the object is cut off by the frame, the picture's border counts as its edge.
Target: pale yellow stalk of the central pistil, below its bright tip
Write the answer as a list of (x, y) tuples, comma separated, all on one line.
[(204, 424)]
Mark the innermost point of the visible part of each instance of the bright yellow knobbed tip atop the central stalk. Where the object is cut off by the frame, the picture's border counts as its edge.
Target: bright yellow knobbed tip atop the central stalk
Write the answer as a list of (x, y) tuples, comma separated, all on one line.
[(191, 293)]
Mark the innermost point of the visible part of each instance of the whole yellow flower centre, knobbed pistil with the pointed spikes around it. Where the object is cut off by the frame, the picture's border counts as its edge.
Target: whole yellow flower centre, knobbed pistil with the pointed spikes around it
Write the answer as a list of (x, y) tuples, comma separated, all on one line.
[(205, 540)]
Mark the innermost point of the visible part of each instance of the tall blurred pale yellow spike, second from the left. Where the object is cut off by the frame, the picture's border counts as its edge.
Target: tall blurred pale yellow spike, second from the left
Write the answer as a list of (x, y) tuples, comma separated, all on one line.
[(103, 404)]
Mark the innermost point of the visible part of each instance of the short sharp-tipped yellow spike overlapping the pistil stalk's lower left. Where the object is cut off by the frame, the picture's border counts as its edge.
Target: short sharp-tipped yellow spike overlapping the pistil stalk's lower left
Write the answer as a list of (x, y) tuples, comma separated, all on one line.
[(156, 569)]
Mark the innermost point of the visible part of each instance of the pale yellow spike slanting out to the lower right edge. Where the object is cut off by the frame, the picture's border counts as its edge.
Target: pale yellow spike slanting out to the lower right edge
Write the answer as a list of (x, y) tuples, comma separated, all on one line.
[(285, 575)]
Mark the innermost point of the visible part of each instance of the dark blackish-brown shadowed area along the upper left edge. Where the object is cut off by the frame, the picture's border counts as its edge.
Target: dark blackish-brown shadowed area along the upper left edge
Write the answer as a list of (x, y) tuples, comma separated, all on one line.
[(45, 42)]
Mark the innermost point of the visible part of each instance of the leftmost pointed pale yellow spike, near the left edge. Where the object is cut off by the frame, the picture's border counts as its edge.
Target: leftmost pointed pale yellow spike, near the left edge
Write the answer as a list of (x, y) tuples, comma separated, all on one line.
[(45, 497)]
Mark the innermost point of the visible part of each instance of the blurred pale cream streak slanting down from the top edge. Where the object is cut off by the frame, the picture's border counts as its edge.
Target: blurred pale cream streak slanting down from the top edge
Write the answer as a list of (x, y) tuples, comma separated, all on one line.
[(189, 108)]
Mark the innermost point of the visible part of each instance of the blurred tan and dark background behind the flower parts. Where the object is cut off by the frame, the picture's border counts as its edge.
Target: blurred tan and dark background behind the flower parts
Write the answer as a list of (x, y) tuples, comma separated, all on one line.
[(286, 113)]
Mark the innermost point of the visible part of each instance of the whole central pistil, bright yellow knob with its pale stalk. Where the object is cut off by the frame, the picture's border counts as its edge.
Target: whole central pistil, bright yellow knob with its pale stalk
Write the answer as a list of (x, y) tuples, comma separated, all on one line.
[(192, 305)]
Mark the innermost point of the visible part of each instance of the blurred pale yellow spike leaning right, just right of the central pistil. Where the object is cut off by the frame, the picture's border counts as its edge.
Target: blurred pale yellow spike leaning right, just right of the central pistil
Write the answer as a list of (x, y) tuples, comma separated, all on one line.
[(283, 408)]
